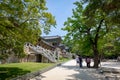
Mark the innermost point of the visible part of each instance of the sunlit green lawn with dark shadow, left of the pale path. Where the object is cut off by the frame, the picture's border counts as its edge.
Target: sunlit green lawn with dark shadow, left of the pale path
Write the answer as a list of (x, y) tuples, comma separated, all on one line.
[(8, 71)]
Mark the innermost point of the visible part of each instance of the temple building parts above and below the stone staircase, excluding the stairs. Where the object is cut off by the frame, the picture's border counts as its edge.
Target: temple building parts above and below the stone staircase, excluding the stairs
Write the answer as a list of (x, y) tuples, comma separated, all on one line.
[(48, 42)]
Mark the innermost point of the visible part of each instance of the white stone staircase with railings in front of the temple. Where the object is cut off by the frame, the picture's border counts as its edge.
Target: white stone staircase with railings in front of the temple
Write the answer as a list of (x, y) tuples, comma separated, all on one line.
[(31, 49)]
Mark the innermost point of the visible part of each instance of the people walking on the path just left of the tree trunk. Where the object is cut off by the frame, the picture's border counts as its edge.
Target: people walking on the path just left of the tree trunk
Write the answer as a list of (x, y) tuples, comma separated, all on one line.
[(79, 61)]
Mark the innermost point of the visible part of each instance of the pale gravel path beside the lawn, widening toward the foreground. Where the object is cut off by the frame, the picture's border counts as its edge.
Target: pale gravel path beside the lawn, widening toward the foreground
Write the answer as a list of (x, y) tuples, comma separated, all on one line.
[(71, 71)]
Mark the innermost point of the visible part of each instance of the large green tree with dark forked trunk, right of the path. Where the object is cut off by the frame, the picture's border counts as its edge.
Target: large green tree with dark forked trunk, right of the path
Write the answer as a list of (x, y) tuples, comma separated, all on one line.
[(88, 26)]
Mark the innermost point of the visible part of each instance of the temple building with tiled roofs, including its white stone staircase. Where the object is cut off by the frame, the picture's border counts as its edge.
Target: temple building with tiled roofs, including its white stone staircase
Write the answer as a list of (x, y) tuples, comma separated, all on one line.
[(47, 49)]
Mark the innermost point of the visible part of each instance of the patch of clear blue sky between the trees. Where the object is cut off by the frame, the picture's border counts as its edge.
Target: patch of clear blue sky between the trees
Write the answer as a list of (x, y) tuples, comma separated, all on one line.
[(61, 9)]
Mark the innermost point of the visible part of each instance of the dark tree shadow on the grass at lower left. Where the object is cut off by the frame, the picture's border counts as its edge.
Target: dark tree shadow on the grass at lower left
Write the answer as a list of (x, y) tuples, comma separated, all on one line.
[(6, 73)]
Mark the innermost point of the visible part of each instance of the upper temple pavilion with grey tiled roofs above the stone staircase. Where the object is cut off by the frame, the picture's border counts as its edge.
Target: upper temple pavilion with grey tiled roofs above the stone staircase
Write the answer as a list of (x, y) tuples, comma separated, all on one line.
[(52, 43)]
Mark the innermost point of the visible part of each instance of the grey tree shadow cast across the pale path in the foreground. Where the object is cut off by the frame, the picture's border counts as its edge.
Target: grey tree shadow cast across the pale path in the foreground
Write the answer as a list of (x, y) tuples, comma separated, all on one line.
[(83, 73)]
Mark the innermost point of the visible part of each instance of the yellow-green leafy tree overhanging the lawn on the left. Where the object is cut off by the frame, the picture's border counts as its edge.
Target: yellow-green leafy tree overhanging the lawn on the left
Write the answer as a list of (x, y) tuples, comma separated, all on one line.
[(22, 21)]
